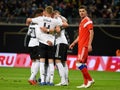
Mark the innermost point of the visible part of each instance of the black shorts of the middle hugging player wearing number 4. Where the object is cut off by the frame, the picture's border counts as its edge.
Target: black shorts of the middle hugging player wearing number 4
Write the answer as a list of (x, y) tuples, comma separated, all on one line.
[(46, 51)]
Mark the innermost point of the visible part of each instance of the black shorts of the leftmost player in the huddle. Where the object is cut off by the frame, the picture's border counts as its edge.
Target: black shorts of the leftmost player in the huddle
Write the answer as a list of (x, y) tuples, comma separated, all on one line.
[(34, 52)]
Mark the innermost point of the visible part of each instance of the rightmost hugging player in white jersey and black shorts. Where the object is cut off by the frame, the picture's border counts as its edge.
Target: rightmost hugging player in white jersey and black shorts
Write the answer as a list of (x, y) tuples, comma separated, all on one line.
[(61, 45)]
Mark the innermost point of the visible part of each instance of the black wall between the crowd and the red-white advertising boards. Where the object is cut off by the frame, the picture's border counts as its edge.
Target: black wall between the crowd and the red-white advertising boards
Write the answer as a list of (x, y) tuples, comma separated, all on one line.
[(105, 43)]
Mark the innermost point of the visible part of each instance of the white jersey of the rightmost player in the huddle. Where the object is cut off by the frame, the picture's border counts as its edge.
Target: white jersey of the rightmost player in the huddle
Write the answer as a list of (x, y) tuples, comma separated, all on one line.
[(62, 38)]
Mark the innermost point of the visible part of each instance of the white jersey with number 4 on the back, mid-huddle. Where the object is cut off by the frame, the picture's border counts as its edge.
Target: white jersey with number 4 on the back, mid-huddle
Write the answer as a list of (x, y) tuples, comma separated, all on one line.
[(49, 23)]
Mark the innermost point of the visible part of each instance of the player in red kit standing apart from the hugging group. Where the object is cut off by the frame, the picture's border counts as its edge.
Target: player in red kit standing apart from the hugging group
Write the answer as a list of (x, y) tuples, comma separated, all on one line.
[(84, 40)]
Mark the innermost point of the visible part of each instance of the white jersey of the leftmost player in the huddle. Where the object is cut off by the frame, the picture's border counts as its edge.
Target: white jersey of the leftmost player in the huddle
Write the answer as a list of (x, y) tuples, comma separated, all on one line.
[(32, 30)]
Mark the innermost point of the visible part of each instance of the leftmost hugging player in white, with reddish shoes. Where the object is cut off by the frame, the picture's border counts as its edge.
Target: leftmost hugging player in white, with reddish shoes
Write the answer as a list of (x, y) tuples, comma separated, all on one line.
[(33, 46)]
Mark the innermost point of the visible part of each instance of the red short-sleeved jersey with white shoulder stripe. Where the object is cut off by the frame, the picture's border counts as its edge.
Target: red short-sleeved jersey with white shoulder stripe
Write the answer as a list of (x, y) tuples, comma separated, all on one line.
[(84, 27)]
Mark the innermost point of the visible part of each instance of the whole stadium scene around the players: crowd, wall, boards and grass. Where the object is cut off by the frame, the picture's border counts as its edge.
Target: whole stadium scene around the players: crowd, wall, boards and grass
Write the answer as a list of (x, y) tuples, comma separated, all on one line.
[(106, 18)]
